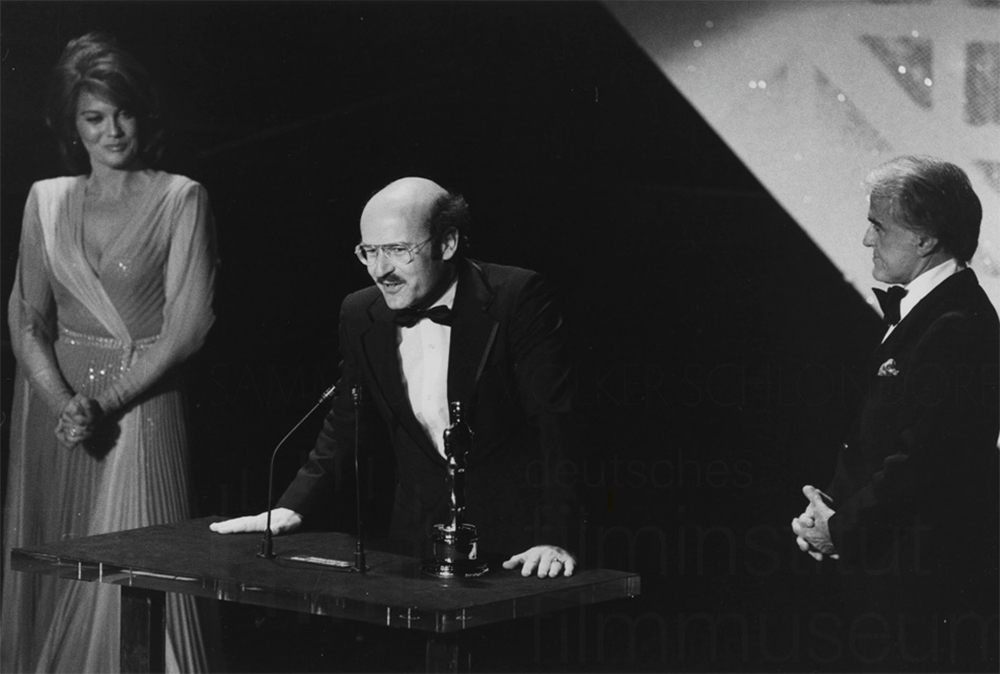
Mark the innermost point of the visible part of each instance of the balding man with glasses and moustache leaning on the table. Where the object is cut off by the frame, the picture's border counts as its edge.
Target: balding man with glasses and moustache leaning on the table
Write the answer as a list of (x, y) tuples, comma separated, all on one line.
[(439, 327)]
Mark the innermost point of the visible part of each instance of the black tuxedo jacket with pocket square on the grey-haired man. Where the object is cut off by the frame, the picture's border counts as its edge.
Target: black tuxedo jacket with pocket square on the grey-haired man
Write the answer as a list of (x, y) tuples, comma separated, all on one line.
[(915, 488)]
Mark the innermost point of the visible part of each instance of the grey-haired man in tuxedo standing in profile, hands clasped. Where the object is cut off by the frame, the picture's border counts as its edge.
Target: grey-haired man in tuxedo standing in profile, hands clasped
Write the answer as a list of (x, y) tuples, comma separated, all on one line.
[(911, 512)]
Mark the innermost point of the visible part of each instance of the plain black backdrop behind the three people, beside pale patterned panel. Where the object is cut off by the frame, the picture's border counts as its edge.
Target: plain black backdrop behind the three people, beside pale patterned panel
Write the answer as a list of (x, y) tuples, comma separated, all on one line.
[(716, 343)]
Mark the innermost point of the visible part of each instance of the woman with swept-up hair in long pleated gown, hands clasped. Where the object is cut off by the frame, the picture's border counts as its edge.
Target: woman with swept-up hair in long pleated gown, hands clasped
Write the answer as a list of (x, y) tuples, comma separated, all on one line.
[(113, 292)]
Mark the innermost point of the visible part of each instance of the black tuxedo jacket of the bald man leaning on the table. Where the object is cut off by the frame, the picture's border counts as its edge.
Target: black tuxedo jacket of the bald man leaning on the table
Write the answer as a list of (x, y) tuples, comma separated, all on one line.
[(508, 365)]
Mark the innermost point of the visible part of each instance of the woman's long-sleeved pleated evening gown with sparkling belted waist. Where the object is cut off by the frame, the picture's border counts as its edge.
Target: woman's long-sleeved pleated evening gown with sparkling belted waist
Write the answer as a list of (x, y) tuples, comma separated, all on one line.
[(124, 320)]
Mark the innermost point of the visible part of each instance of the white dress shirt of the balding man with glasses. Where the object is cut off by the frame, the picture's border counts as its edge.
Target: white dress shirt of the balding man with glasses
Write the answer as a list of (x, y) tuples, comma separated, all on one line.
[(423, 358)]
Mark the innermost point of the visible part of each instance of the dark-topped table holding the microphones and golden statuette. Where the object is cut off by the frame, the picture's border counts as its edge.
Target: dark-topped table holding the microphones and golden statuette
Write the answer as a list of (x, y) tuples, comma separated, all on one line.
[(188, 558)]
